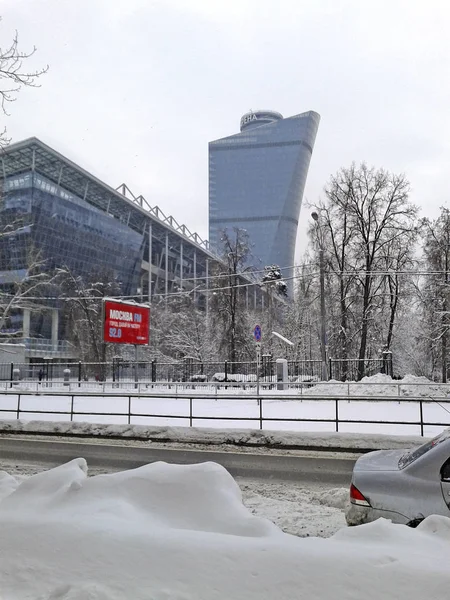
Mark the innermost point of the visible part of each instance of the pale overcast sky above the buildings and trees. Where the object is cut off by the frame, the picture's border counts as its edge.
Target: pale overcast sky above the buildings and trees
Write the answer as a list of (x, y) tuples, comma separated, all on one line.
[(137, 88)]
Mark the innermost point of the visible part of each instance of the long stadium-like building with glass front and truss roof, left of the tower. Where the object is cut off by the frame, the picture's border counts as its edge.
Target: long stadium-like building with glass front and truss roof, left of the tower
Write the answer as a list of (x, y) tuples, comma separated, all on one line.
[(67, 218)]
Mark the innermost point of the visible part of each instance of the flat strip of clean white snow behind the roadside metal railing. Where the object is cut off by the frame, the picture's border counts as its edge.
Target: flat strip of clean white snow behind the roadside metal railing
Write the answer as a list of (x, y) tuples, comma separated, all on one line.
[(296, 413)]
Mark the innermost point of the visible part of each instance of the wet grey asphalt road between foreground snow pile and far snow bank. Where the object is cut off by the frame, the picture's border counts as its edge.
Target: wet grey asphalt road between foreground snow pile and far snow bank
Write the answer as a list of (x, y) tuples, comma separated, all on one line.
[(336, 471)]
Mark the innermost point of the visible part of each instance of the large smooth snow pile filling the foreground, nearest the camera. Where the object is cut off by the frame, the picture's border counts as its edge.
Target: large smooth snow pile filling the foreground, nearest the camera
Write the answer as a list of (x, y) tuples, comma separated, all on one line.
[(181, 533)]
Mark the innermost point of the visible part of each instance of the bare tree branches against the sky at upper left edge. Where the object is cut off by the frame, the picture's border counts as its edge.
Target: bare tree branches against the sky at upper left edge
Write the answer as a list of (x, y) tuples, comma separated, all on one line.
[(14, 76)]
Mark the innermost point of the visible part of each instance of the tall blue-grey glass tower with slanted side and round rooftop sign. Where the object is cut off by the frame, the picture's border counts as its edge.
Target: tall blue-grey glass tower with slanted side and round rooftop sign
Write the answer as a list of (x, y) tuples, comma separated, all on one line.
[(256, 183)]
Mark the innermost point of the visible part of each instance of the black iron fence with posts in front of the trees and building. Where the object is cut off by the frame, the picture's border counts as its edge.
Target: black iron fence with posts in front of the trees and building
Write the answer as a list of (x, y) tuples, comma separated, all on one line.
[(190, 370)]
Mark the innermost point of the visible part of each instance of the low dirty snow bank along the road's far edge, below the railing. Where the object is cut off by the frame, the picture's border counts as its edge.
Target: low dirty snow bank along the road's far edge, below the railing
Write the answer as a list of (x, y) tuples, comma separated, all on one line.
[(238, 437)]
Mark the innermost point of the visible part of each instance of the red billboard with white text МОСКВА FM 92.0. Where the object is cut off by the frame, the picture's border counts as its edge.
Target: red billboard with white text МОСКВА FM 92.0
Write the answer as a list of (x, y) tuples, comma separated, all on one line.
[(125, 323)]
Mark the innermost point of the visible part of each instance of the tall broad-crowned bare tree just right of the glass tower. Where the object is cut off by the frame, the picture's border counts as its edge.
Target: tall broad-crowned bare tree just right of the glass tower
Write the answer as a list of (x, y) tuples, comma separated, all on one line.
[(366, 217)]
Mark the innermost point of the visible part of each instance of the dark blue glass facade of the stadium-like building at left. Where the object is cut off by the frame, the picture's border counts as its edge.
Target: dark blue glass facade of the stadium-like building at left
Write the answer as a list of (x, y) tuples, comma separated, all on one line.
[(45, 224)]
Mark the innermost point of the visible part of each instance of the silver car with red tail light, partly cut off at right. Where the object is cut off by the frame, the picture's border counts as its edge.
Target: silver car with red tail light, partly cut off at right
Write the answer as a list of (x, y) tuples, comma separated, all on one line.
[(404, 487)]
